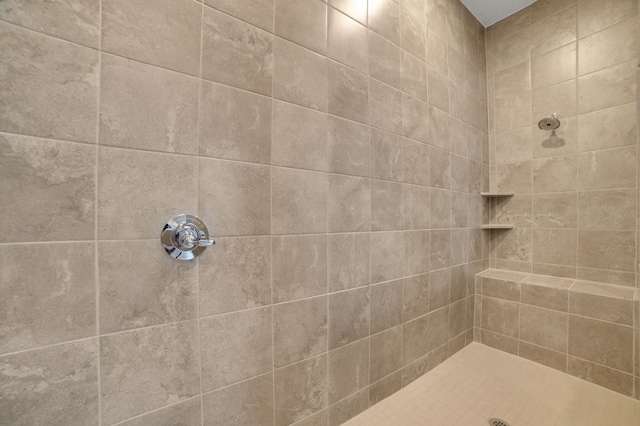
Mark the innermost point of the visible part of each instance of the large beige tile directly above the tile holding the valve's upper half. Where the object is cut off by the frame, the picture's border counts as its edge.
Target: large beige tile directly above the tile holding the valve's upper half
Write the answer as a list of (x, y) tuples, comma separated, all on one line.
[(148, 108)]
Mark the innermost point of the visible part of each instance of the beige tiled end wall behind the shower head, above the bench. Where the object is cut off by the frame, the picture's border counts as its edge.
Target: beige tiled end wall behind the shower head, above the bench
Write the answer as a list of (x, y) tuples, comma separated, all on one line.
[(574, 210)]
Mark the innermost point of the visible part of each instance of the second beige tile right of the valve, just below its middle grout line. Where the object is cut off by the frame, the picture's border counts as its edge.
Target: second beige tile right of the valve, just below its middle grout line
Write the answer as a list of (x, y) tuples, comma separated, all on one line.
[(299, 266)]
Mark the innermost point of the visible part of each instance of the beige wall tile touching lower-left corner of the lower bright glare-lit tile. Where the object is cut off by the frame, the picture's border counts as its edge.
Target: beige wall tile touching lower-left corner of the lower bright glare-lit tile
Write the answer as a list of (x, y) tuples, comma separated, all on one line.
[(300, 75)]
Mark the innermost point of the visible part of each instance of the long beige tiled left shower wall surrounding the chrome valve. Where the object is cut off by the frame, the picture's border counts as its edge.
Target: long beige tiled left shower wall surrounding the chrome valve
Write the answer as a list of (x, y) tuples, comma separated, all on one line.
[(336, 153)]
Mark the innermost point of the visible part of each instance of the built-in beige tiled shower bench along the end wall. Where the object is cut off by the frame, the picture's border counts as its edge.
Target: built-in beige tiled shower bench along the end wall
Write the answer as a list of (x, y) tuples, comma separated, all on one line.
[(579, 327)]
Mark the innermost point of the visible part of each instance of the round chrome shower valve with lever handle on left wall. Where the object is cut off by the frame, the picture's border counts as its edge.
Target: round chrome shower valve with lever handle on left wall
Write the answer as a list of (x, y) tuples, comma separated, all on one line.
[(185, 237)]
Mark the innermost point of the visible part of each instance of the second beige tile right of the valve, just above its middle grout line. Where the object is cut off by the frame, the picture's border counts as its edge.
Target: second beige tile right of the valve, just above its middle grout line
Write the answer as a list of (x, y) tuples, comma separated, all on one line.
[(299, 201)]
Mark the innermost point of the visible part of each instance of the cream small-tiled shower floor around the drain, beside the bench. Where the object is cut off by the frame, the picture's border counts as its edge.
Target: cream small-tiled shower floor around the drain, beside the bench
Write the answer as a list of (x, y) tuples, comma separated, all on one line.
[(480, 382)]
